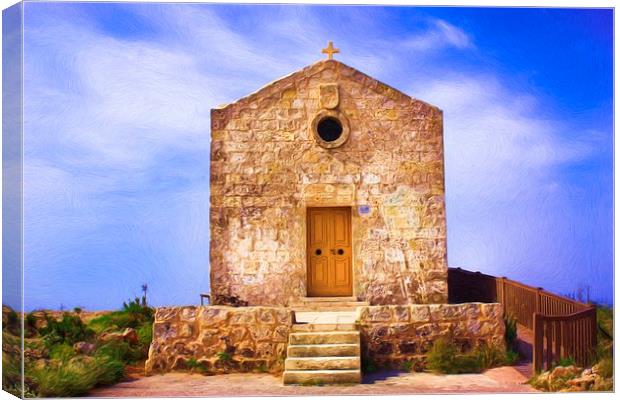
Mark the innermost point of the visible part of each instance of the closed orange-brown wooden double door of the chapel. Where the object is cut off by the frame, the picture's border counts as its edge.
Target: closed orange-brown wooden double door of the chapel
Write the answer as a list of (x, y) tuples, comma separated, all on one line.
[(329, 252)]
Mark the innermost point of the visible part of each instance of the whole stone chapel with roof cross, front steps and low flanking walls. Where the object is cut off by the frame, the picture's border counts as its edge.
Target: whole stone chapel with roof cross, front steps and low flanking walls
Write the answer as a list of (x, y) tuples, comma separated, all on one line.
[(327, 194)]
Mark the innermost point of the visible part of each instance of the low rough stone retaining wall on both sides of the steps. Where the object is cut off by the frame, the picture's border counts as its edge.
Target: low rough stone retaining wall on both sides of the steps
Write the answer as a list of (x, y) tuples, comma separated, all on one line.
[(221, 338)]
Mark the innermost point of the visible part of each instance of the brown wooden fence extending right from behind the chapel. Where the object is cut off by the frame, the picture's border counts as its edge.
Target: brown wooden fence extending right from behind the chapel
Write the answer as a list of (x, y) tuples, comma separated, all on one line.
[(562, 327)]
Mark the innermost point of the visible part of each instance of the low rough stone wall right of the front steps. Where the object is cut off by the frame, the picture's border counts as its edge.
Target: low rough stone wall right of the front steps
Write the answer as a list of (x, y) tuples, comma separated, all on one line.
[(392, 335)]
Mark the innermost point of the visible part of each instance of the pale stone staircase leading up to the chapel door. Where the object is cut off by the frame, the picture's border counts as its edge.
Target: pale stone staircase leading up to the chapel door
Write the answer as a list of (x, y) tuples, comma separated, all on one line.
[(324, 346)]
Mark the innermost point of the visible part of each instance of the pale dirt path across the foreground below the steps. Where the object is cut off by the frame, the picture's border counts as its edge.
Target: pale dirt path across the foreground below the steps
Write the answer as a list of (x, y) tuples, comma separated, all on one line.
[(175, 384)]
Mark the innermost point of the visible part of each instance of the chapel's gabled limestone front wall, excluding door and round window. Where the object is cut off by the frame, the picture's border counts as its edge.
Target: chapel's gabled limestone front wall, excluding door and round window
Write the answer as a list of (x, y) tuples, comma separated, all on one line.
[(267, 169)]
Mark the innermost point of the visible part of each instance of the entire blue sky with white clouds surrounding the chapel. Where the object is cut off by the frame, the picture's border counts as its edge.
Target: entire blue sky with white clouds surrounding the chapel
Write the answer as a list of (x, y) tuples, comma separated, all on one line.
[(117, 100)]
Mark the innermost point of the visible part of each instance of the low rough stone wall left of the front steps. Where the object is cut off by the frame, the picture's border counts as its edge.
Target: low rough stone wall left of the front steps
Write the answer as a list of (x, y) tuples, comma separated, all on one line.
[(219, 338)]
